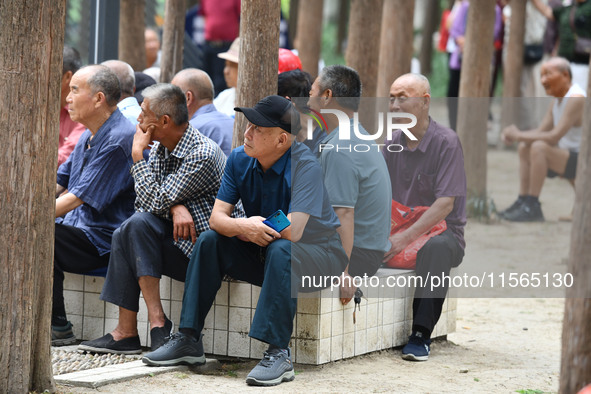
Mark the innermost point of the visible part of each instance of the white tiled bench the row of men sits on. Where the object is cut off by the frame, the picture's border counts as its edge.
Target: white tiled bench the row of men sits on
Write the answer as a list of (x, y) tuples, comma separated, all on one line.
[(323, 328)]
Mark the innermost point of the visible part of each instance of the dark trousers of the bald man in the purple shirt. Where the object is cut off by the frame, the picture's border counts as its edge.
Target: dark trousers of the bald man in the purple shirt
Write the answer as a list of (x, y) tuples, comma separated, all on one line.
[(436, 258)]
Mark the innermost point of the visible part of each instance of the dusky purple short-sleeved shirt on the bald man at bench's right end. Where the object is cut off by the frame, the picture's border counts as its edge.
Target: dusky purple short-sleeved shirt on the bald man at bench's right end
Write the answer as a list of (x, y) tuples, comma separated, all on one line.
[(434, 169)]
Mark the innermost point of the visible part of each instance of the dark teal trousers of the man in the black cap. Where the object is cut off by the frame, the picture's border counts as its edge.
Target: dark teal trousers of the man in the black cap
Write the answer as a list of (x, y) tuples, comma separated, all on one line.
[(277, 268)]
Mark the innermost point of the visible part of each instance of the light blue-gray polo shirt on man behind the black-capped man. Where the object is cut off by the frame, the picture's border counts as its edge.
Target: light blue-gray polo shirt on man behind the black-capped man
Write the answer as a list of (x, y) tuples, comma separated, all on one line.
[(357, 177)]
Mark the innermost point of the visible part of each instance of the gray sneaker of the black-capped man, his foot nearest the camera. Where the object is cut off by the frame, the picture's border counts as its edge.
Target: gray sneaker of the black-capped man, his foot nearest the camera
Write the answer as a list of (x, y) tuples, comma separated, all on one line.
[(275, 367)]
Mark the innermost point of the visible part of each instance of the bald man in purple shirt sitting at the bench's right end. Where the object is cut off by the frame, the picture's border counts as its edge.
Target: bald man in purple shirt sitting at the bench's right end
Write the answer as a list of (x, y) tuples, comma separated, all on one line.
[(427, 172)]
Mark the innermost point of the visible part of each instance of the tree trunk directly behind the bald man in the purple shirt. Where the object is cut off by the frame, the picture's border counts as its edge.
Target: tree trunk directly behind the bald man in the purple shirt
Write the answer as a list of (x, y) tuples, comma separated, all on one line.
[(395, 43)]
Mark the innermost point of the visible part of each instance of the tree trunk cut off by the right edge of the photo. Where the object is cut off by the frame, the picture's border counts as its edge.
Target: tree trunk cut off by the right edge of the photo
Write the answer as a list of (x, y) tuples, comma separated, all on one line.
[(575, 368)]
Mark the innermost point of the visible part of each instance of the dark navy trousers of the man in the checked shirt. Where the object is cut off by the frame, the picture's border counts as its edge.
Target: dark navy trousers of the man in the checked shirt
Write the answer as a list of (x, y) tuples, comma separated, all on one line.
[(142, 246)]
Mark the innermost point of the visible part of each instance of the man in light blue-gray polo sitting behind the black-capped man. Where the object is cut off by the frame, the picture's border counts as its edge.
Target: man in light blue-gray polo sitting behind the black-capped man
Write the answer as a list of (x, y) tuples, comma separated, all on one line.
[(356, 177)]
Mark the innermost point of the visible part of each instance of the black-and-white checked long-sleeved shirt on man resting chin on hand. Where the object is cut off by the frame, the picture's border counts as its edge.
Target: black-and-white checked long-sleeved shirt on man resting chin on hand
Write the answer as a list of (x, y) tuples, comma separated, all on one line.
[(190, 175)]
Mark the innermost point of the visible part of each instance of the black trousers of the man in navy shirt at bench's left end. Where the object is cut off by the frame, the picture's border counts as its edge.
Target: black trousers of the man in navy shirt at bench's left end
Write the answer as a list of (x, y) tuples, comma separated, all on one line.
[(73, 252)]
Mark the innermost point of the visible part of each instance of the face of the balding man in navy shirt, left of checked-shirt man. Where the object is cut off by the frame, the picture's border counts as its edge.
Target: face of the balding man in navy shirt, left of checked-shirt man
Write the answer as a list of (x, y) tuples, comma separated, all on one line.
[(81, 101)]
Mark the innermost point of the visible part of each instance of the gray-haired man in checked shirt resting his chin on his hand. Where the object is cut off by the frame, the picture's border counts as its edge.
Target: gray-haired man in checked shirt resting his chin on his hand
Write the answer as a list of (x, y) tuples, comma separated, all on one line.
[(176, 189)]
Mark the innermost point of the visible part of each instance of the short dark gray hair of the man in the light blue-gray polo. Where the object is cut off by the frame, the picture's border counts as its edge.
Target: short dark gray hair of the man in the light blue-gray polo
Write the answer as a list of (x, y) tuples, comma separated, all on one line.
[(345, 84)]
